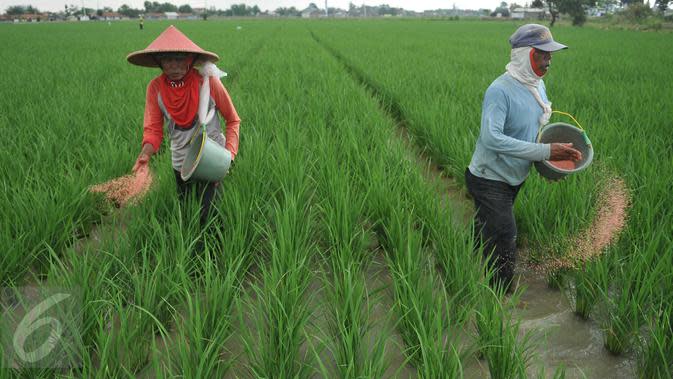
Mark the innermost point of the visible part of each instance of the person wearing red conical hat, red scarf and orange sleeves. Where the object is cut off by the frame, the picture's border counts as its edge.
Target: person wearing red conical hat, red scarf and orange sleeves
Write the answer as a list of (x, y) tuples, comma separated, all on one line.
[(173, 98)]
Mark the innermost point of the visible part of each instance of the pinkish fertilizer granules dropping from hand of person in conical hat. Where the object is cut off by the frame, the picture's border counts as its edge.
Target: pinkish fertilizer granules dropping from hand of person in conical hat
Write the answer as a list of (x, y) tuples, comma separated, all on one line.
[(126, 189)]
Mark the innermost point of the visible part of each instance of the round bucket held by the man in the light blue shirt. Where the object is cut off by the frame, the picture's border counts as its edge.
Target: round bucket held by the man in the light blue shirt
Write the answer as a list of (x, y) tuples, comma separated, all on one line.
[(560, 132)]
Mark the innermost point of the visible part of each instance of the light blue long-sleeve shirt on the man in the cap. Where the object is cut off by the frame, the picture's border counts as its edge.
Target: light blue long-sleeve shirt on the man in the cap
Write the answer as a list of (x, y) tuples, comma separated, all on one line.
[(506, 145)]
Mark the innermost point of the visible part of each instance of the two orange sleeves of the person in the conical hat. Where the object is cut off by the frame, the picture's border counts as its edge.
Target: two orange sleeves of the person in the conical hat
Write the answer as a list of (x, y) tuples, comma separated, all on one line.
[(153, 123)]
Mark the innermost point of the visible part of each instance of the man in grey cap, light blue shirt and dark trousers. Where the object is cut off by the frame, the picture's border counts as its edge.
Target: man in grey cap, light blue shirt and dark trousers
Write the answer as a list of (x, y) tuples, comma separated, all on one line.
[(515, 106)]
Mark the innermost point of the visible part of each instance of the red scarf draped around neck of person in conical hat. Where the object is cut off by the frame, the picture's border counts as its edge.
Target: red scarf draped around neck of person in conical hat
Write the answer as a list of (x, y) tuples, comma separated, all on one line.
[(181, 98)]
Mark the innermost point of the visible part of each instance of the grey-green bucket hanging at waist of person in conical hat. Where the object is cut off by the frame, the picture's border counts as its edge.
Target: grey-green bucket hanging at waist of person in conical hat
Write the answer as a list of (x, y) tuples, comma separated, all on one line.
[(206, 159)]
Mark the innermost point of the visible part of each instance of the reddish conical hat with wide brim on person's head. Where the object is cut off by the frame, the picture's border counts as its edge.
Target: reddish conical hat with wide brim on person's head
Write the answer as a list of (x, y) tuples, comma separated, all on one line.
[(171, 40)]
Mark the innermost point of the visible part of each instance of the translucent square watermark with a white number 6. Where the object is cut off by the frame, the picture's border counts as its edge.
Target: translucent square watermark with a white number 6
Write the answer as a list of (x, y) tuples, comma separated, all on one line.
[(40, 327)]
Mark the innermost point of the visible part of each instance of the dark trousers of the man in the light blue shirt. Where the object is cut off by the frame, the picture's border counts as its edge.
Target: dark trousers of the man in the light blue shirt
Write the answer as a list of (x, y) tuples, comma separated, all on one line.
[(494, 224)]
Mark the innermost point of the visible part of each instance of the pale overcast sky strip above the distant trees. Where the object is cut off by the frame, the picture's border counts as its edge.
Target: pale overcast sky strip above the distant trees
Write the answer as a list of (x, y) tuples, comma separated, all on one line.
[(417, 5)]
